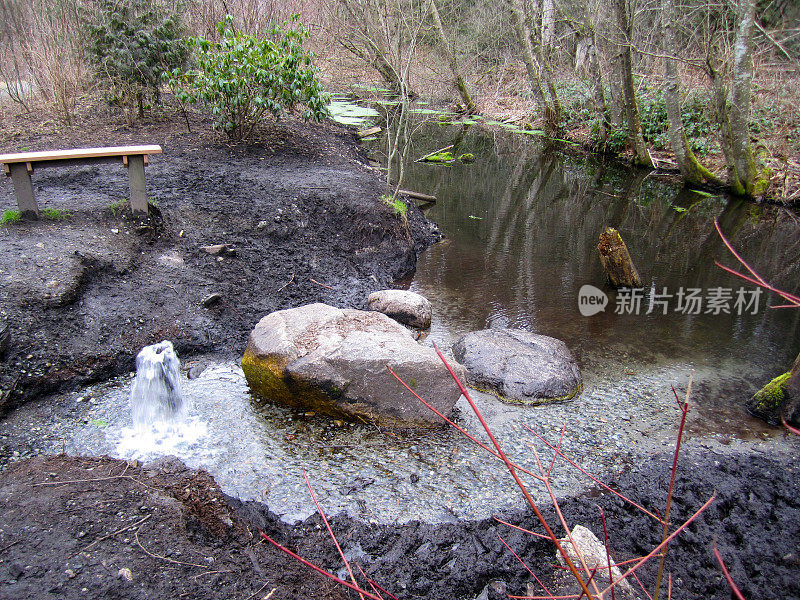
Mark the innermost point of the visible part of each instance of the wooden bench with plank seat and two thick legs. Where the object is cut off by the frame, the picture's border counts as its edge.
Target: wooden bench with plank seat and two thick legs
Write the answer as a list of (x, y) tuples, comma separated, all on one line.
[(20, 166)]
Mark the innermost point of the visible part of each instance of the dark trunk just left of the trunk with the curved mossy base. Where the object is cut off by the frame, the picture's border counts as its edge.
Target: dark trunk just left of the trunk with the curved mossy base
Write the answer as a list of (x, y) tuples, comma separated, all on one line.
[(635, 140)]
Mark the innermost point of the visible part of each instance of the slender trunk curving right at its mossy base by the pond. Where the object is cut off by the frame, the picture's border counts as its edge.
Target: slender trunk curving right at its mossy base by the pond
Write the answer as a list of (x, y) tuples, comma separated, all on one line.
[(691, 169)]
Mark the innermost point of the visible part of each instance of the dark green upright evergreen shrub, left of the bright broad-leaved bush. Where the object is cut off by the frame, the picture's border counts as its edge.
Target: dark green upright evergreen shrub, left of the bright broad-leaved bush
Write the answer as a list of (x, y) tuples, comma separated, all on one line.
[(131, 44)]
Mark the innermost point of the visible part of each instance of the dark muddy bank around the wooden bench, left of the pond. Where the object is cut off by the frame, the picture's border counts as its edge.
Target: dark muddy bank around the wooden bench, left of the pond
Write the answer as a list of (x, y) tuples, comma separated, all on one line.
[(82, 294)]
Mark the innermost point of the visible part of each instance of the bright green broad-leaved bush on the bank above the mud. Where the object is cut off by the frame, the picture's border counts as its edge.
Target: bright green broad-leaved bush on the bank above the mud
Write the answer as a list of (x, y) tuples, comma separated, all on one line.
[(243, 78)]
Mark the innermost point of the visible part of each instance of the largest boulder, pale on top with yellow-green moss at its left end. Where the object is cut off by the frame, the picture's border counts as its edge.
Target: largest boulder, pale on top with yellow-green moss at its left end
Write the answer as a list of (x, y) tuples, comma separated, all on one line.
[(333, 361)]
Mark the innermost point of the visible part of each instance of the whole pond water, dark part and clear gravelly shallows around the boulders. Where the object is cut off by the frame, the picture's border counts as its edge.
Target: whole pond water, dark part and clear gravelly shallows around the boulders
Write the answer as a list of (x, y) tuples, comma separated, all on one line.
[(522, 226)]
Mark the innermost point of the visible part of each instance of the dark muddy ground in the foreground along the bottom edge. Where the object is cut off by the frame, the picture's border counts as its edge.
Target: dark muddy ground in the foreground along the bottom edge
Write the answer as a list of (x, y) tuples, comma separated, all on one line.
[(103, 528)]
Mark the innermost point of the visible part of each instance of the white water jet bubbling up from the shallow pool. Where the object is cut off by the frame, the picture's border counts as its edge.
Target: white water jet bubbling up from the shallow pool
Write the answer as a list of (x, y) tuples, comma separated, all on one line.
[(156, 396)]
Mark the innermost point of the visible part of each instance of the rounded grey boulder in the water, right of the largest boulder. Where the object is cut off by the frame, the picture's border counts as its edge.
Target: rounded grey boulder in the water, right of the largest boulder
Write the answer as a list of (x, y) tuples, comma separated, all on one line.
[(519, 366)]
